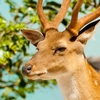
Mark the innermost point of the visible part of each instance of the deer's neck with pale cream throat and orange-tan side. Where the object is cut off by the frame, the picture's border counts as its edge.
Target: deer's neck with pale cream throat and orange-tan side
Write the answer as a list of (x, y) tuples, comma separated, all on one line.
[(79, 85)]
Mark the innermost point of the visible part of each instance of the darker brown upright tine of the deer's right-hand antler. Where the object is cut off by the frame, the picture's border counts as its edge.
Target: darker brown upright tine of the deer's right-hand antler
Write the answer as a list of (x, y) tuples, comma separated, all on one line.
[(75, 17)]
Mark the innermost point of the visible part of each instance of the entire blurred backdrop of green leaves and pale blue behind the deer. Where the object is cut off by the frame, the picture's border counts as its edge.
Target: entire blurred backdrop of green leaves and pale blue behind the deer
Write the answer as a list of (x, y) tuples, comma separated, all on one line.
[(15, 50)]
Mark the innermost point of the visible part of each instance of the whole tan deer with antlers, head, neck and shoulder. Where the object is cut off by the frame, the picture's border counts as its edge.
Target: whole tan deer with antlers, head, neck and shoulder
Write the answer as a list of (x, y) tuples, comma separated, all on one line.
[(61, 55)]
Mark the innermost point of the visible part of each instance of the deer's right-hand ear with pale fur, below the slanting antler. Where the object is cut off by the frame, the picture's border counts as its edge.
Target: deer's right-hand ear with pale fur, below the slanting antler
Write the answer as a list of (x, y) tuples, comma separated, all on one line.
[(85, 35)]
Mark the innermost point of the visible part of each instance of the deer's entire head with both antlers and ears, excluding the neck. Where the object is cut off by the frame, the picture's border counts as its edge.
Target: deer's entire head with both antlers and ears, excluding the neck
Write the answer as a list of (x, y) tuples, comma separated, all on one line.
[(58, 52)]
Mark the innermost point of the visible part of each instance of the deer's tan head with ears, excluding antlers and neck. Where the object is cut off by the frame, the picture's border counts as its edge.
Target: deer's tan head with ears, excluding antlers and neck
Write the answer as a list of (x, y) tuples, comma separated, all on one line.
[(56, 54)]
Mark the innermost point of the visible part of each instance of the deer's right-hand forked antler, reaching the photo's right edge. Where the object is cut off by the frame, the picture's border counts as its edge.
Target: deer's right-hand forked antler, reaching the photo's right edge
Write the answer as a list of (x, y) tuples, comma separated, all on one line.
[(76, 24)]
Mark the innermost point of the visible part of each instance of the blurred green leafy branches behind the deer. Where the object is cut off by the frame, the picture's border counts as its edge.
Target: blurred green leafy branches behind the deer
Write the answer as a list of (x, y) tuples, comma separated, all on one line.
[(14, 47)]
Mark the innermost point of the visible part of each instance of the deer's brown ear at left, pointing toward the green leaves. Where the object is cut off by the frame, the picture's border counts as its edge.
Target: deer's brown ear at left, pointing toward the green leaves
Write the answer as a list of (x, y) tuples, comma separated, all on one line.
[(33, 36)]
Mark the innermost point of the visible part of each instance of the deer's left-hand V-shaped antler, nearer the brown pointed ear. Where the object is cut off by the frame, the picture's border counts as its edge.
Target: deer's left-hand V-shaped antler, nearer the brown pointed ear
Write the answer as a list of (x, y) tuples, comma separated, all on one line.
[(58, 18)]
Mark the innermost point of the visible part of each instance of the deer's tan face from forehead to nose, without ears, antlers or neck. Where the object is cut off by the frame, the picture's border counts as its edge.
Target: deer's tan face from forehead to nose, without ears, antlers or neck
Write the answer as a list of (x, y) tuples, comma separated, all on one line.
[(51, 58)]
